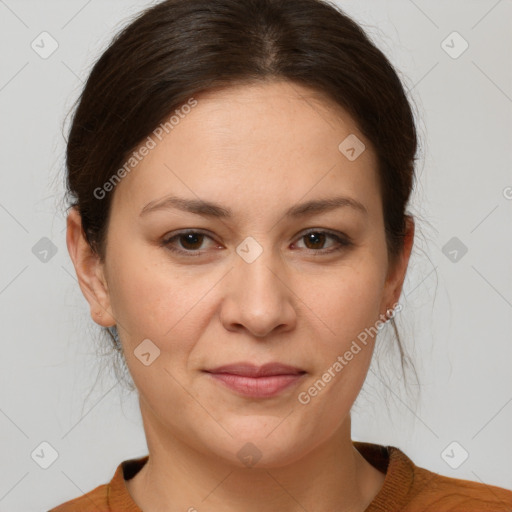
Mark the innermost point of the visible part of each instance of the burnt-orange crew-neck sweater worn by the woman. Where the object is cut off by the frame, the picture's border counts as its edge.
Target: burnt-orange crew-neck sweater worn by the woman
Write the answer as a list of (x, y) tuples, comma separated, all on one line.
[(406, 488)]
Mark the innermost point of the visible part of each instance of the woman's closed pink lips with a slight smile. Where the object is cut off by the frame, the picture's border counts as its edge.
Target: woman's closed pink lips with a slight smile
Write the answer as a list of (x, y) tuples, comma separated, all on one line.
[(257, 381)]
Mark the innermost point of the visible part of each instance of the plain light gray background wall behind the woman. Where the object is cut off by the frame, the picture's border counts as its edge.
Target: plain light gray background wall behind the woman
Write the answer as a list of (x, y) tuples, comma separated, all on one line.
[(457, 315)]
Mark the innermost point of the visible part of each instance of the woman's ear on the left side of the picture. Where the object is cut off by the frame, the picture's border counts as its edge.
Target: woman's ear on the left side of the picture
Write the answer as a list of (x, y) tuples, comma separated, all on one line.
[(89, 270)]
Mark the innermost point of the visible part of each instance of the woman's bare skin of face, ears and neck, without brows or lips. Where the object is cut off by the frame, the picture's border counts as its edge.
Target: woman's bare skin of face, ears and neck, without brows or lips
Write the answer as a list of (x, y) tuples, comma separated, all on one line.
[(256, 149)]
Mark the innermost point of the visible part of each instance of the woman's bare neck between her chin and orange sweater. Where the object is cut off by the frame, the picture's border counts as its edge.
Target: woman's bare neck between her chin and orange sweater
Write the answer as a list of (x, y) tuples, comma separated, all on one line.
[(177, 477)]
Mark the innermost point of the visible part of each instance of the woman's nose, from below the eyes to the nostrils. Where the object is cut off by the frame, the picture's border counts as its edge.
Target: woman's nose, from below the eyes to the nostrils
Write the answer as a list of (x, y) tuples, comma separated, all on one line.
[(259, 297)]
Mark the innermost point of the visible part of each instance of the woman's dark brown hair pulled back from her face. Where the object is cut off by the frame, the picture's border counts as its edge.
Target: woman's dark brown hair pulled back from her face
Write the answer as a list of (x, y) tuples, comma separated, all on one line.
[(179, 48)]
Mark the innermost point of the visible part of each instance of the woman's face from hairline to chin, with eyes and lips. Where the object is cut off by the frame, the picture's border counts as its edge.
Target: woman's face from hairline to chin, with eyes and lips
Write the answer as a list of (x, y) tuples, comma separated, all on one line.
[(255, 279)]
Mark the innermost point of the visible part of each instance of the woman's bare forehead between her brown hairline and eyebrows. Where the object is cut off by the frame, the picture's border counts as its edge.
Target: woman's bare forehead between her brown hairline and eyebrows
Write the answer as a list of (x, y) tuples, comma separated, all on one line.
[(249, 141)]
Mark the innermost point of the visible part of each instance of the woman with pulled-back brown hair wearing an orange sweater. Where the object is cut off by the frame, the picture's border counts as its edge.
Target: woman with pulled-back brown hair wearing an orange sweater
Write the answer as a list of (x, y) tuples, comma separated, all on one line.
[(240, 173)]
